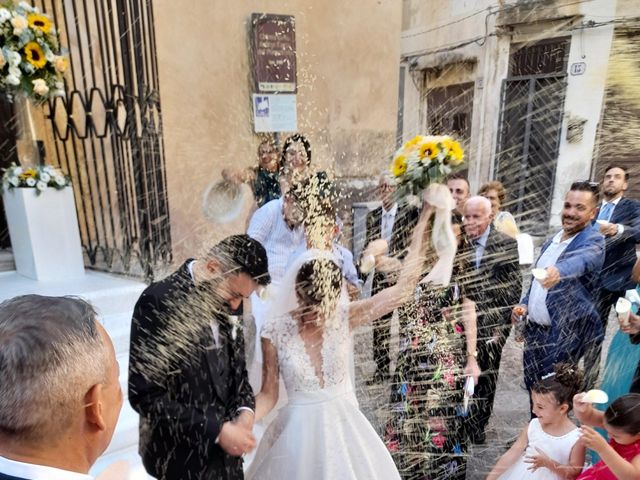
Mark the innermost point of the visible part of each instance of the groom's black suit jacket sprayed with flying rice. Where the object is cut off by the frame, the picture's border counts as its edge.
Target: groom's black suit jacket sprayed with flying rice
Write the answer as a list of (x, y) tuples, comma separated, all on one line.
[(183, 387)]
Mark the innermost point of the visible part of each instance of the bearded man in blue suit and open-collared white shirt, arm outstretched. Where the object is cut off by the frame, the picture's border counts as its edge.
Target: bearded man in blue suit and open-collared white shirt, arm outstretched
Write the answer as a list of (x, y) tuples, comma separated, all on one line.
[(562, 317)]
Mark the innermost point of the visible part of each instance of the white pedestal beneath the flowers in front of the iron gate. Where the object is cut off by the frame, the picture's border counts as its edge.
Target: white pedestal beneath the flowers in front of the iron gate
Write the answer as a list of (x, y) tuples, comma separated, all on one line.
[(44, 233)]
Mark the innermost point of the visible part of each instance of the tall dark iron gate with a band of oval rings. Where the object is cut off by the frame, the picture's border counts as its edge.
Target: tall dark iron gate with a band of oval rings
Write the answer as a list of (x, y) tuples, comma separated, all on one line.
[(107, 132)]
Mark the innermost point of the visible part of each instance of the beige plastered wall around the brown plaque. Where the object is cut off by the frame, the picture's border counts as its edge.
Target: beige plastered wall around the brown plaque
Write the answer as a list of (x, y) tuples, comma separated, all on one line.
[(347, 96)]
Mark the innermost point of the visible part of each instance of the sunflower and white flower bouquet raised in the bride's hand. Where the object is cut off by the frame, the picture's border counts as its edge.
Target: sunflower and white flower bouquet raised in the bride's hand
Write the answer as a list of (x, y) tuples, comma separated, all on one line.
[(424, 160)]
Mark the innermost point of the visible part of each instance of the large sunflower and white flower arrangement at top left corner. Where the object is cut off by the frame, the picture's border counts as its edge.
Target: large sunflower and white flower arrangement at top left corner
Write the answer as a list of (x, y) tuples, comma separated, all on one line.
[(31, 62)]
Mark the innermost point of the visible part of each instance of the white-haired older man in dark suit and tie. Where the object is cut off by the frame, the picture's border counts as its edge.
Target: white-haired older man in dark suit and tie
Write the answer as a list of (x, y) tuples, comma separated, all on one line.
[(494, 282)]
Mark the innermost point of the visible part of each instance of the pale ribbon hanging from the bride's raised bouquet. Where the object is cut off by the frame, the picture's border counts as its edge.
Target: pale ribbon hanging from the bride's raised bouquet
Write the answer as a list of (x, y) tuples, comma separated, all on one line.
[(442, 237)]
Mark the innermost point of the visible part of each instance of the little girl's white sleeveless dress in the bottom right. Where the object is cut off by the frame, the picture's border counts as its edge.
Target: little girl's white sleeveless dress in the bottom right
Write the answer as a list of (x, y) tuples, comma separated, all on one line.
[(558, 448)]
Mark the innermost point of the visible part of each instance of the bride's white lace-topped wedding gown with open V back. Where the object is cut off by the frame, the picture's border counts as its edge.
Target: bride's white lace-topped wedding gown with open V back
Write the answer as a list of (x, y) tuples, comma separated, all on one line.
[(320, 433)]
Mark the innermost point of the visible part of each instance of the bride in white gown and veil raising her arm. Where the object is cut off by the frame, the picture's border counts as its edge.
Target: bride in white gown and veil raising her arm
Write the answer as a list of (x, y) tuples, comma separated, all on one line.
[(321, 433)]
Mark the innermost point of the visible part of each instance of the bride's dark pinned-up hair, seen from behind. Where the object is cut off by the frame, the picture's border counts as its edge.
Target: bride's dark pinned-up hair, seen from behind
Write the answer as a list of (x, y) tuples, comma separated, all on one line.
[(318, 280)]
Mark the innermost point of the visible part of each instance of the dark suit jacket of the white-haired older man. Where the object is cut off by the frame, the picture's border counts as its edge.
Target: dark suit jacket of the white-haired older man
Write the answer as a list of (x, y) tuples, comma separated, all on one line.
[(497, 285)]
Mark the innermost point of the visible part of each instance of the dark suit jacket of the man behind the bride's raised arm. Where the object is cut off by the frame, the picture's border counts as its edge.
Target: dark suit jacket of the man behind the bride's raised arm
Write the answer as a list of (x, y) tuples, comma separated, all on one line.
[(403, 225)]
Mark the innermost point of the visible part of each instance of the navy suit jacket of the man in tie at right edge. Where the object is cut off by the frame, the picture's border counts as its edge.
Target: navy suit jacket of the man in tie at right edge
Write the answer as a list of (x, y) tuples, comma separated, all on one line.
[(621, 248)]
